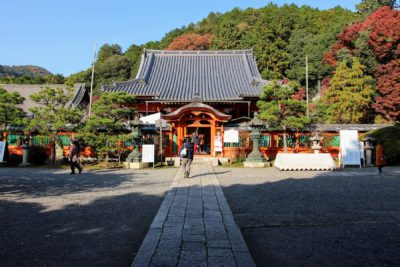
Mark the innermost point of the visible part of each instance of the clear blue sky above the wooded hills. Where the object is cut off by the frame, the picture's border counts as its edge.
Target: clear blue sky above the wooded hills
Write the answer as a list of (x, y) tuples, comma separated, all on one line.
[(60, 35)]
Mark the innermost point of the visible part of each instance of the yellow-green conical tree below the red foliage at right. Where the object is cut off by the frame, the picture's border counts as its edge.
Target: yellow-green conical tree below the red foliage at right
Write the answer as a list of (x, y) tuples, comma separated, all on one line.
[(350, 94)]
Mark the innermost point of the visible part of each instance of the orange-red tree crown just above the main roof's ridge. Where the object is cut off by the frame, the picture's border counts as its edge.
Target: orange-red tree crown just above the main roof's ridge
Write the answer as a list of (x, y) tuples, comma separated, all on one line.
[(191, 41)]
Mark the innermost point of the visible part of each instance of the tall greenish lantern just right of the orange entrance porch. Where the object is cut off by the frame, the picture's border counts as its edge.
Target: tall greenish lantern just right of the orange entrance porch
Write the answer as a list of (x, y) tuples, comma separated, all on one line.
[(255, 158)]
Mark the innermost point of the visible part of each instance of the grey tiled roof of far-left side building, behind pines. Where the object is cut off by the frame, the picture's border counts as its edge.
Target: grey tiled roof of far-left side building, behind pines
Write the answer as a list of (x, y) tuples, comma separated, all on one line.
[(25, 90)]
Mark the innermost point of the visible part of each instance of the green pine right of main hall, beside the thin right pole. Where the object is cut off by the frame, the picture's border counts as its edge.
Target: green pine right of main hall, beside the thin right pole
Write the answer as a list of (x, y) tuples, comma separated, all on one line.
[(279, 110)]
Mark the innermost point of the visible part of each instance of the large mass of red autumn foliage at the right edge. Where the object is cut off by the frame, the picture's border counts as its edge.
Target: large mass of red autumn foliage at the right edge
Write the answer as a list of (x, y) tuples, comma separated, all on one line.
[(383, 28)]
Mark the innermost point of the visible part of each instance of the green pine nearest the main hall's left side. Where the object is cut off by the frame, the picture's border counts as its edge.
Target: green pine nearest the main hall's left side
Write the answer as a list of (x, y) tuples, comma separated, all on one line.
[(105, 129)]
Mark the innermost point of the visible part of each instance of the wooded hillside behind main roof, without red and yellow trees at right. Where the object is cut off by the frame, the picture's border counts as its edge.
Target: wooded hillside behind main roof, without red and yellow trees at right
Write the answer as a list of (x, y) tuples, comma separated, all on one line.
[(279, 36)]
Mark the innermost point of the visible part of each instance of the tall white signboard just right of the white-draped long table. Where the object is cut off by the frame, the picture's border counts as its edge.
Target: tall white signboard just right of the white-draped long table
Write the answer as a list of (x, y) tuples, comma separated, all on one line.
[(350, 147)]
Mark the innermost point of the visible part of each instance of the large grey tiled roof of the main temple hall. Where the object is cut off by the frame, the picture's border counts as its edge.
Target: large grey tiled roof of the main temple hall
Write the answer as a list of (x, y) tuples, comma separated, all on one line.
[(183, 75)]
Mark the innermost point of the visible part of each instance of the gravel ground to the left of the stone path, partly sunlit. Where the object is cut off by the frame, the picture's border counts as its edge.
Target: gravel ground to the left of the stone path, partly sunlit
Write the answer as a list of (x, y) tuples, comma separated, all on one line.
[(98, 218)]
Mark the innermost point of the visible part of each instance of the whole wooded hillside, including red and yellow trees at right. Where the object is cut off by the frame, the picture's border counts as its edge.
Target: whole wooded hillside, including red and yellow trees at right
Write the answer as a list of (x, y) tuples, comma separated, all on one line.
[(353, 53)]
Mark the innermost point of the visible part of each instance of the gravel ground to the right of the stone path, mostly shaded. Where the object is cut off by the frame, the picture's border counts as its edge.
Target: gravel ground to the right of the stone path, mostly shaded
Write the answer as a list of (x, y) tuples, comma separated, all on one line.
[(344, 218)]
